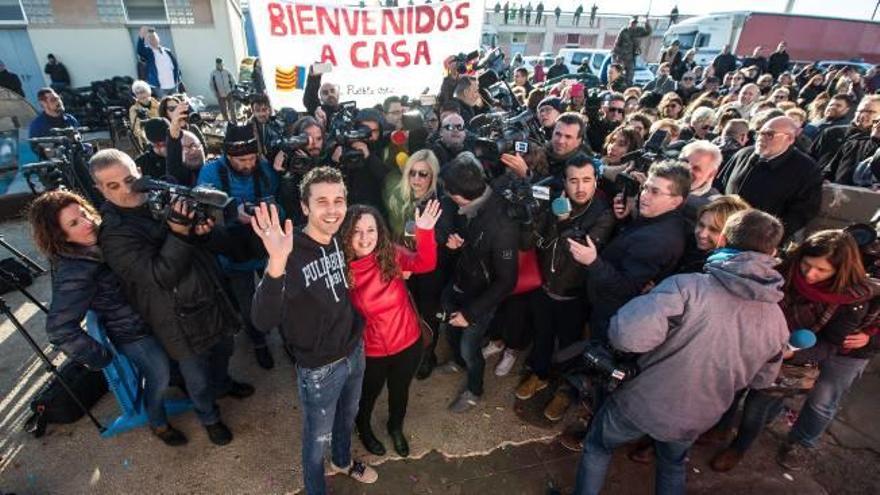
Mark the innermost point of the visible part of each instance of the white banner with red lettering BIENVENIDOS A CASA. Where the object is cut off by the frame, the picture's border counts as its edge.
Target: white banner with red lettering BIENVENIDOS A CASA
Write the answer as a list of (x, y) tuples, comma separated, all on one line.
[(375, 52)]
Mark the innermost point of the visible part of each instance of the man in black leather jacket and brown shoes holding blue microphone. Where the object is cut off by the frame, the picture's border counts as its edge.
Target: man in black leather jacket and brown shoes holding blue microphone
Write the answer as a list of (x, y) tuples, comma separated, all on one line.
[(559, 310)]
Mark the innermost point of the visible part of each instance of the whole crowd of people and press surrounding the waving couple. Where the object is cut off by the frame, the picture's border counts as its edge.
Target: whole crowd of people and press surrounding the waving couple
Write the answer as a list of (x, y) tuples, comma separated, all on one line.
[(689, 262)]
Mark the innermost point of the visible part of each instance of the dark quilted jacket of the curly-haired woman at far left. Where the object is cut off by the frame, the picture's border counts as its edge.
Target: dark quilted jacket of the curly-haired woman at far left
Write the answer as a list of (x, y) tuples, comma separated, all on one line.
[(81, 281)]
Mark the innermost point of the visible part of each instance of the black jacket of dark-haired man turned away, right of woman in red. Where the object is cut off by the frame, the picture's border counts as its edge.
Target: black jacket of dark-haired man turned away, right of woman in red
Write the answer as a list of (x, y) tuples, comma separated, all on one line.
[(487, 266)]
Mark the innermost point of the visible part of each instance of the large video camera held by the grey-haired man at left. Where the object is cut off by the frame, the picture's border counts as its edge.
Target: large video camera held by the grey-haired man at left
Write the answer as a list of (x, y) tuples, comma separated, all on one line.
[(205, 202)]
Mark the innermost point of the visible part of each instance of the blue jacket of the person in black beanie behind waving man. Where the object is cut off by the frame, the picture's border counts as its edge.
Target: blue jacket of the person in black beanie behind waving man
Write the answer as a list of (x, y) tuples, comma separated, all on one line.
[(242, 189)]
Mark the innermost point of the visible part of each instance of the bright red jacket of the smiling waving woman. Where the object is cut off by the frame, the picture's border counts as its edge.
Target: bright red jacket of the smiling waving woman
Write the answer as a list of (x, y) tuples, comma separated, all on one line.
[(392, 324)]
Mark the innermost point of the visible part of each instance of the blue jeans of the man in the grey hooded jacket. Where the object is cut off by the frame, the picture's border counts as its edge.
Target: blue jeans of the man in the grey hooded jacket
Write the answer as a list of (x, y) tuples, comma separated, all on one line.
[(610, 429)]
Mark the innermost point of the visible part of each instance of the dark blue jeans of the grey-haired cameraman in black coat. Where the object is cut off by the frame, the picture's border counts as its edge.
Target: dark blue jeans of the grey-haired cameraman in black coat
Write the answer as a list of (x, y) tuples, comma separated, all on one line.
[(207, 378)]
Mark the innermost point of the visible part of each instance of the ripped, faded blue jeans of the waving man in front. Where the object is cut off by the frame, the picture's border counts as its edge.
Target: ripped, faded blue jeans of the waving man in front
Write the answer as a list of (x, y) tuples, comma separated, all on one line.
[(329, 396)]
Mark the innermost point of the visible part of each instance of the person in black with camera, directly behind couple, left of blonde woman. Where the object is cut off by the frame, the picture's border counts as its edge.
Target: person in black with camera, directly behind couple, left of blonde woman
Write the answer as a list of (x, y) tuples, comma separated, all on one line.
[(365, 174)]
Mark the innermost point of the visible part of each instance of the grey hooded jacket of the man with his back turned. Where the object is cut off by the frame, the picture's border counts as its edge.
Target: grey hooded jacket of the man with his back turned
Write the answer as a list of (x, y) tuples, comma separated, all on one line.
[(704, 336)]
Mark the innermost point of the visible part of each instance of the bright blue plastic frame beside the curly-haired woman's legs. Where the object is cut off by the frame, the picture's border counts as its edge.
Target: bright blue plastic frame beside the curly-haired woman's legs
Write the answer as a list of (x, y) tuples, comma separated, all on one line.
[(126, 384)]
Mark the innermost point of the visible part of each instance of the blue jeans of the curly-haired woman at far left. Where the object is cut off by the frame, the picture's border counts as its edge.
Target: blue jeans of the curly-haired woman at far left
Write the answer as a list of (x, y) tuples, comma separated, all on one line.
[(151, 362)]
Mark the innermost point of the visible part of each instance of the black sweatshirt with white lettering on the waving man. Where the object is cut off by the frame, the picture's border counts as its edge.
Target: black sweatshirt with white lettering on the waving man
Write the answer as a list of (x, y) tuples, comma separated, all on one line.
[(310, 304)]
